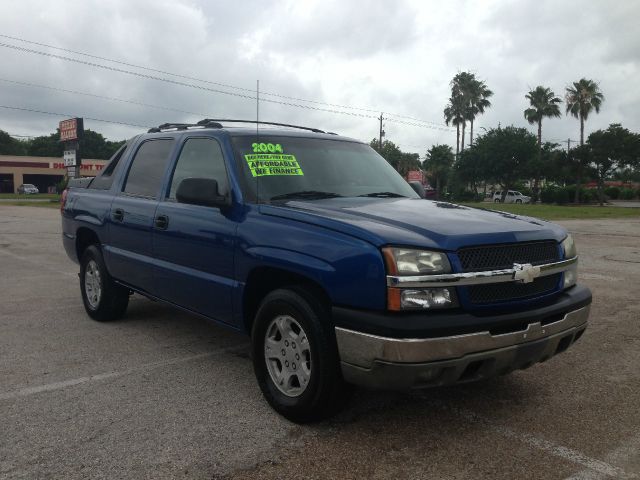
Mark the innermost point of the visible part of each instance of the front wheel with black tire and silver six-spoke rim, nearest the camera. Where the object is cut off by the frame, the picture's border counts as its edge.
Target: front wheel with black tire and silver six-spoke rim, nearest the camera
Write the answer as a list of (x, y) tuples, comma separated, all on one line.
[(295, 356)]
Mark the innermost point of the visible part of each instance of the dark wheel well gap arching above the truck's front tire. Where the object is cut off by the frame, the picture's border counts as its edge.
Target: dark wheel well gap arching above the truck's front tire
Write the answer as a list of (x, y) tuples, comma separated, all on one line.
[(261, 281)]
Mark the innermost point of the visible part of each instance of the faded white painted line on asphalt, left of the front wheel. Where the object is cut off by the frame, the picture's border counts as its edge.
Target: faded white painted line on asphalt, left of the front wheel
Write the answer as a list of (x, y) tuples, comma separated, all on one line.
[(49, 387)]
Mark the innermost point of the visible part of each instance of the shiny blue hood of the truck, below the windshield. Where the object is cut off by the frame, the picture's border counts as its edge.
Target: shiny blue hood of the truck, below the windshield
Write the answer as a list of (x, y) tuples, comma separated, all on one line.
[(416, 222)]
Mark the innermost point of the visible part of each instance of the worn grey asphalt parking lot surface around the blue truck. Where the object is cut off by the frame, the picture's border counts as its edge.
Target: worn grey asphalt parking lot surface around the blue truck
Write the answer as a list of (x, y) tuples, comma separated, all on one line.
[(161, 394)]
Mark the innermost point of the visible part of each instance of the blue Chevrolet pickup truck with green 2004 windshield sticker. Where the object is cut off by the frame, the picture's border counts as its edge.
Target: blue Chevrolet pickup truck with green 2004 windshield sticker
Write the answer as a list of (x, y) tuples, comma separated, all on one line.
[(315, 247)]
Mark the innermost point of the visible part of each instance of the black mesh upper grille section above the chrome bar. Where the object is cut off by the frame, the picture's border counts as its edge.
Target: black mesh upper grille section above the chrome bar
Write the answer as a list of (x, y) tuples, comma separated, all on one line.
[(495, 257)]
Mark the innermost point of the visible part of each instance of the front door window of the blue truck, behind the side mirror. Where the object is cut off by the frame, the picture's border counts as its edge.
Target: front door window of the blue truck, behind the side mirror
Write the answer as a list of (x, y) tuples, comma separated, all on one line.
[(200, 158)]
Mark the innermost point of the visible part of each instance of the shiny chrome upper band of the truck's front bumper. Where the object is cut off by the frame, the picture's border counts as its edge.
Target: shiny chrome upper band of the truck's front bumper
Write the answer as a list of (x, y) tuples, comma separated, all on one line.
[(363, 349)]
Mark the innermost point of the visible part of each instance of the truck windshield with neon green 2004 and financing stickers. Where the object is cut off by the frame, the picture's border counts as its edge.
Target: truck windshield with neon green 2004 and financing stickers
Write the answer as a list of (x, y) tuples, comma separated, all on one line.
[(279, 168)]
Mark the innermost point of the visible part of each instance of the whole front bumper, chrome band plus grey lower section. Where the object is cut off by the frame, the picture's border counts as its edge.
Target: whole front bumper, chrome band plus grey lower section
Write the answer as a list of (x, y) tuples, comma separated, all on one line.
[(402, 363)]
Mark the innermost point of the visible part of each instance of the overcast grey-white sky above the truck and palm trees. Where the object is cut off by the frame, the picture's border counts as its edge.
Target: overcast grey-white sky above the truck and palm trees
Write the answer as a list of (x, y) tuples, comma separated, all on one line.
[(373, 56)]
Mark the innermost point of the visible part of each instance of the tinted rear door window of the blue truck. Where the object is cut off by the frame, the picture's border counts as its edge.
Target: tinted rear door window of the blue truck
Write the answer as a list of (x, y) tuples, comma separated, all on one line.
[(148, 167)]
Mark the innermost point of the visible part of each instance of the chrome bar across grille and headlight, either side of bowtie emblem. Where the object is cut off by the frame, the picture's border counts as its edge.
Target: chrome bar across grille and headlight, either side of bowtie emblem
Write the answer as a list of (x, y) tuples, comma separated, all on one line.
[(475, 278)]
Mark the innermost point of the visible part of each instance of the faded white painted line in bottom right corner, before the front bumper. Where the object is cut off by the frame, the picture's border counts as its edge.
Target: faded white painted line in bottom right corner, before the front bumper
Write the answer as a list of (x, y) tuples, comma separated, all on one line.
[(592, 465)]
